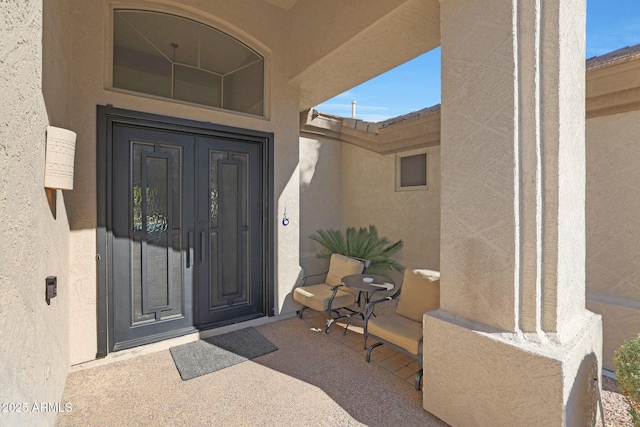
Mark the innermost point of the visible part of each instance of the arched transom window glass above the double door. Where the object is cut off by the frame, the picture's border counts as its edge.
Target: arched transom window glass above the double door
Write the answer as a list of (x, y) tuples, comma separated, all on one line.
[(174, 57)]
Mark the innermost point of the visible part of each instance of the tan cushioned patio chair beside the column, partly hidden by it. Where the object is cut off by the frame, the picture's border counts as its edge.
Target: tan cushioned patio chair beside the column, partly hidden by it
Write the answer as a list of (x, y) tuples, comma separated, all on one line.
[(402, 329)]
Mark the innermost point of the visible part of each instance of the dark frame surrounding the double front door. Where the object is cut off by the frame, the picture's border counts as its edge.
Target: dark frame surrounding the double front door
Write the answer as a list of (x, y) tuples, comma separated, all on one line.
[(107, 116)]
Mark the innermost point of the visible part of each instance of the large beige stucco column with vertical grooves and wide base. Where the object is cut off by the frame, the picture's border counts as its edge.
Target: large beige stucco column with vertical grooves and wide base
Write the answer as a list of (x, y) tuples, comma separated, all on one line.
[(512, 343)]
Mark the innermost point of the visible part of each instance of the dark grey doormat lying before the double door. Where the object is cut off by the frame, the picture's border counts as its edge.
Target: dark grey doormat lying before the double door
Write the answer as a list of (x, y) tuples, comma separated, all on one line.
[(219, 352)]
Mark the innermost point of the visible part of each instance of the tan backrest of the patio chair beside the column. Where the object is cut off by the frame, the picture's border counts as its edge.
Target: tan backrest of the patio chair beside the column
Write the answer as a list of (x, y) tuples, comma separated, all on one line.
[(420, 293)]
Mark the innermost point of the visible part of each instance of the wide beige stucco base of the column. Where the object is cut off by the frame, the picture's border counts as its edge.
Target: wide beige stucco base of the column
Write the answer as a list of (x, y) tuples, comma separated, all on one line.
[(507, 380)]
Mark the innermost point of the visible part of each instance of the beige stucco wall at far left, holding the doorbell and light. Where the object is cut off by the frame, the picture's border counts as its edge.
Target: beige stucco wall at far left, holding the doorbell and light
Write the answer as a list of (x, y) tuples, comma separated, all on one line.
[(34, 239)]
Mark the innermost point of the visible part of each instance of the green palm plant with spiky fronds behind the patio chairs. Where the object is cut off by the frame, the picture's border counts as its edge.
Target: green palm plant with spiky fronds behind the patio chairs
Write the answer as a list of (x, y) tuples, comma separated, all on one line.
[(363, 243)]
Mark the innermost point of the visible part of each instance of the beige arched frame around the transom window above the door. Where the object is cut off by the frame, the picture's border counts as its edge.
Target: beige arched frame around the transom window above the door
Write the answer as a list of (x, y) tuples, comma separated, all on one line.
[(209, 21)]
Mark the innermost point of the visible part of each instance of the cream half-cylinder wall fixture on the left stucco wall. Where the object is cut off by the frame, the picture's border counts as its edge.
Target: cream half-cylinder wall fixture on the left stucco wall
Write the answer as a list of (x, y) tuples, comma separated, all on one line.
[(60, 154)]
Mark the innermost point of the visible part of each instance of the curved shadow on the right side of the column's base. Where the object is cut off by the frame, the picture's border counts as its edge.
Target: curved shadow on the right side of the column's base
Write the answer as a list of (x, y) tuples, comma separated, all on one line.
[(581, 409)]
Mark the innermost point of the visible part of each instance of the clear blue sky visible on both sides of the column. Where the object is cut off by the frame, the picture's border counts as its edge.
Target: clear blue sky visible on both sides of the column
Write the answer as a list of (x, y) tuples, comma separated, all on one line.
[(611, 25)]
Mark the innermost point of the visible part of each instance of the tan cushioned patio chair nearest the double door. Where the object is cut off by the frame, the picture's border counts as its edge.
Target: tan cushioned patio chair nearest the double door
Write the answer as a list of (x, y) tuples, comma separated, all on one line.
[(331, 295)]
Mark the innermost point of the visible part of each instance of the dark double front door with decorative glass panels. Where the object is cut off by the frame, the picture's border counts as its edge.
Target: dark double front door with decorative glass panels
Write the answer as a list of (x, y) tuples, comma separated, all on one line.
[(187, 247)]
